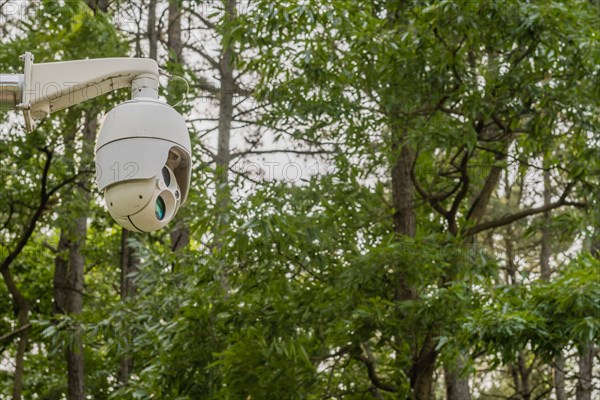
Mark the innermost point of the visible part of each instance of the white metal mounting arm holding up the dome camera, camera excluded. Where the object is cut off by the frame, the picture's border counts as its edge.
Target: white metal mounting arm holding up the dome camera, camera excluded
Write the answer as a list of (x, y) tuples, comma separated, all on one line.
[(47, 87)]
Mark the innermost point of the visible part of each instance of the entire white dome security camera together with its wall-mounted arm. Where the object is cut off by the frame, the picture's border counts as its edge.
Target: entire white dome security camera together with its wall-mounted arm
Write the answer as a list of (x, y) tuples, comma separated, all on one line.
[(143, 151)]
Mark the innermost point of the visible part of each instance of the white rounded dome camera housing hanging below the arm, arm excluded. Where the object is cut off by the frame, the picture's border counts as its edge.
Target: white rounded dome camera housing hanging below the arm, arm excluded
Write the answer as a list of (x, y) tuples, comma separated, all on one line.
[(143, 163)]
